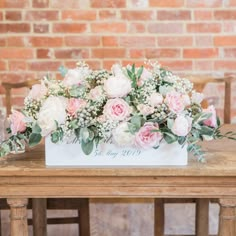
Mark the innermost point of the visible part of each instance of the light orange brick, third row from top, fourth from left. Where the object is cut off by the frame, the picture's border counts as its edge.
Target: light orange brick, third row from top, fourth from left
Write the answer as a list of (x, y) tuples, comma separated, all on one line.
[(114, 27)]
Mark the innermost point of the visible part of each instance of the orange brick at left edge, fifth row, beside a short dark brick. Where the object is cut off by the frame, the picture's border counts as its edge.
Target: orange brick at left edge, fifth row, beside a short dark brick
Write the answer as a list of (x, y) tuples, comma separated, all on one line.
[(12, 53)]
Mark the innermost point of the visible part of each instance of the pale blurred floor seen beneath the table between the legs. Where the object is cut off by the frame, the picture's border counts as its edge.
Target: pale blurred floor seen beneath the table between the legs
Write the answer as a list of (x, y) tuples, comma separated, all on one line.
[(128, 218)]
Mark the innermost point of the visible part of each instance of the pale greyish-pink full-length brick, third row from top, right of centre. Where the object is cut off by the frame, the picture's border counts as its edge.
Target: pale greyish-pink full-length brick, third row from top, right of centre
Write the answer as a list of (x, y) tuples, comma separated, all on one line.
[(166, 28)]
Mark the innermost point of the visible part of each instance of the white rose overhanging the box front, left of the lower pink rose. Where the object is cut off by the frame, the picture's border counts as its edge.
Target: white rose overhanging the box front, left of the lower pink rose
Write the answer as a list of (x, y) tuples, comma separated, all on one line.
[(121, 135)]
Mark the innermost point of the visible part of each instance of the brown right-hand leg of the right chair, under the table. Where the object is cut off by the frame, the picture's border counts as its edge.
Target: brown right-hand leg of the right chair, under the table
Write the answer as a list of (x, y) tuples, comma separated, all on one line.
[(202, 217)]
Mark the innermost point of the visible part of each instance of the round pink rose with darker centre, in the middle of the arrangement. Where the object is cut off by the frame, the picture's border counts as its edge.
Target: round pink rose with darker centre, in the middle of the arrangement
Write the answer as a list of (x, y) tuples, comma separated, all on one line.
[(117, 109)]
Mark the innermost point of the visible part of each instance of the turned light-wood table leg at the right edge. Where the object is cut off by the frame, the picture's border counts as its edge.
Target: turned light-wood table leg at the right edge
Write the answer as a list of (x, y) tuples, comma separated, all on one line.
[(227, 217)]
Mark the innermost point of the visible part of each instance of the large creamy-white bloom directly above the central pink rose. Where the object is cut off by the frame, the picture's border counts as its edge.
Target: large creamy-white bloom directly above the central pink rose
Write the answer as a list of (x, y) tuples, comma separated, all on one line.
[(117, 87)]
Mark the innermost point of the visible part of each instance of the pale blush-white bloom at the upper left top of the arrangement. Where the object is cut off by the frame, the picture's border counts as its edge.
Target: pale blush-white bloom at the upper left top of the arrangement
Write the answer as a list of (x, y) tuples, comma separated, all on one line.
[(76, 76)]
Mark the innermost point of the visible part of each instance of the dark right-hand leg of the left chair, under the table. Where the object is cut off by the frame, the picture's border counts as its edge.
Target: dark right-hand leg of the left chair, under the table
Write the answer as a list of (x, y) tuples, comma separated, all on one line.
[(84, 226)]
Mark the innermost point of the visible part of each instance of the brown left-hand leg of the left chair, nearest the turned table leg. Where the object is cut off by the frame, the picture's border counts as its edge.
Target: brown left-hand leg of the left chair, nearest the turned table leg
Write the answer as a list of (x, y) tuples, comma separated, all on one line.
[(39, 206)]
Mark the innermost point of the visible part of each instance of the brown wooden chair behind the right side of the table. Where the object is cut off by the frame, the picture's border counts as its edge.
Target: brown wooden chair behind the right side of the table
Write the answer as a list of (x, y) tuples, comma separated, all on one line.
[(202, 205)]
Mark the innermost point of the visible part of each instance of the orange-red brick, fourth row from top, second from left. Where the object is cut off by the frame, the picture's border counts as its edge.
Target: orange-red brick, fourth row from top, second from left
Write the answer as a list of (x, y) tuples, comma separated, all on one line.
[(46, 41)]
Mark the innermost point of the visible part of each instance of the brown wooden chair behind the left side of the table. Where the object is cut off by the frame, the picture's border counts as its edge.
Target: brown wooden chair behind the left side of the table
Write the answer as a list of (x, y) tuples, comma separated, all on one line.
[(39, 206)]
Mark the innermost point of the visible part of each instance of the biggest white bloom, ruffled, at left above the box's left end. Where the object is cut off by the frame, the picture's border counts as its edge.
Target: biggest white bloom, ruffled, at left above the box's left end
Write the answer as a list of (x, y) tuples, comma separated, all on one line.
[(53, 110)]
